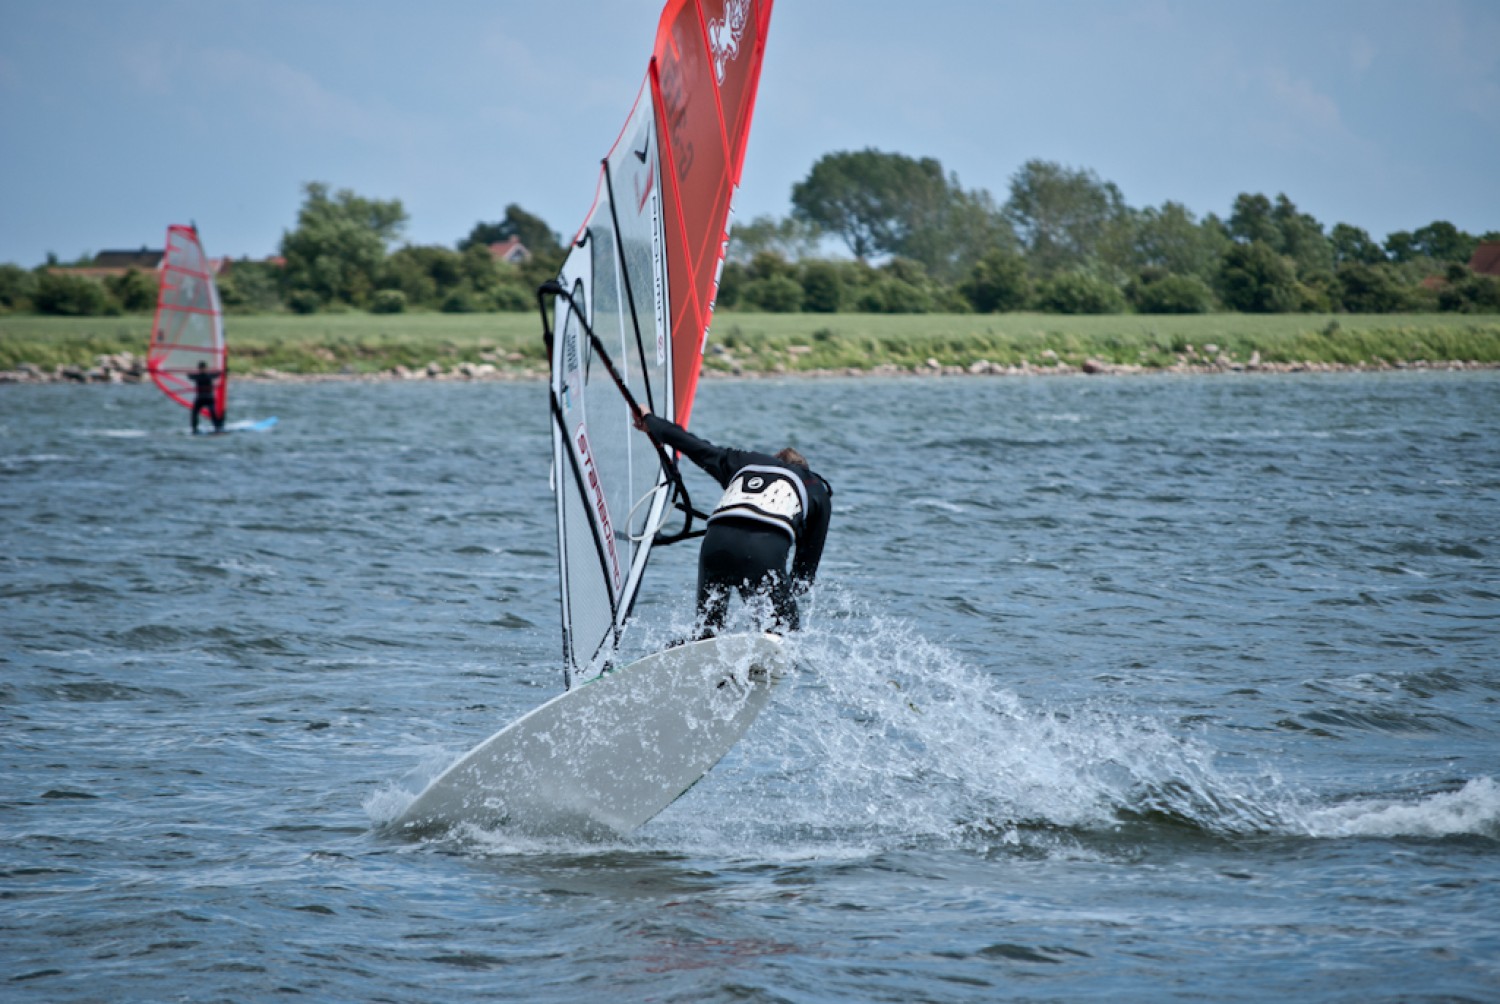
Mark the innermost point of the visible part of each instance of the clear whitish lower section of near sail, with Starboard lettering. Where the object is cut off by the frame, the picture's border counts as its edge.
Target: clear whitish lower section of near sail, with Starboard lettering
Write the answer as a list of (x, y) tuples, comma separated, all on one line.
[(610, 481)]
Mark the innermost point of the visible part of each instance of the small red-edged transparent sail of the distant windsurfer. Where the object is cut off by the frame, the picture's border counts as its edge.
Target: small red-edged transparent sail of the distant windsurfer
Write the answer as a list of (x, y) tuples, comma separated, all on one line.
[(190, 325)]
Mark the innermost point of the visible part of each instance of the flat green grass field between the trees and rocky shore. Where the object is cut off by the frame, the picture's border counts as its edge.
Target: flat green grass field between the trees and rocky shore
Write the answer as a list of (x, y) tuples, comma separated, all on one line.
[(773, 343)]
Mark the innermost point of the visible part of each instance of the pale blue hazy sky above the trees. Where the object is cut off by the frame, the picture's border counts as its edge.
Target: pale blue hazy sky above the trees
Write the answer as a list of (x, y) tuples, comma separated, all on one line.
[(119, 118)]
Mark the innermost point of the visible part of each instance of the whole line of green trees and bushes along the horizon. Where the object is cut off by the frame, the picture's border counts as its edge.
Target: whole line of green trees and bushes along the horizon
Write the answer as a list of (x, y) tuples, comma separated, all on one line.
[(914, 241)]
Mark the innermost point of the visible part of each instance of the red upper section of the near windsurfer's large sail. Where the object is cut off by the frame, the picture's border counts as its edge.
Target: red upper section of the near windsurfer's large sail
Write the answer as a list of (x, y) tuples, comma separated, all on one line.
[(704, 77)]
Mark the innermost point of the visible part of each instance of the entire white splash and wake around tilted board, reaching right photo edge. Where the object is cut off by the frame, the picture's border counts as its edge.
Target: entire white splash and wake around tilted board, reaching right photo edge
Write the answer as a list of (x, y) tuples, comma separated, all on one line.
[(883, 741)]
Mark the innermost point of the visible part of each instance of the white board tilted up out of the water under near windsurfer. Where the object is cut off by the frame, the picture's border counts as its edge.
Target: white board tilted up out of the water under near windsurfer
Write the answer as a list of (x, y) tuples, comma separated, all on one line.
[(608, 756)]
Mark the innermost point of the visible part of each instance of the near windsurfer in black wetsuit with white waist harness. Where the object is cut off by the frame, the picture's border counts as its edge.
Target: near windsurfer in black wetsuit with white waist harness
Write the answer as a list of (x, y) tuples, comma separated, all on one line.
[(751, 534)]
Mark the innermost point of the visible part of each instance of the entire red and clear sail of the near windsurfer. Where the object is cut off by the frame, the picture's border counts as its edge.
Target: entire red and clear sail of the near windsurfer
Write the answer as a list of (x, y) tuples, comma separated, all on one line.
[(643, 277)]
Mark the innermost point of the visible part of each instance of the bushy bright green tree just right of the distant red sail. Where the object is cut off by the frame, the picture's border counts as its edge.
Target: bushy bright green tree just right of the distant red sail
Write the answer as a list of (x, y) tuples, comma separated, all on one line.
[(340, 245)]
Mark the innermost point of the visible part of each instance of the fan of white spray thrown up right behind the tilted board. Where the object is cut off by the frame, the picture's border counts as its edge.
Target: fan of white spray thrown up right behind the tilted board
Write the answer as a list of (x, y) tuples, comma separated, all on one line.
[(883, 739)]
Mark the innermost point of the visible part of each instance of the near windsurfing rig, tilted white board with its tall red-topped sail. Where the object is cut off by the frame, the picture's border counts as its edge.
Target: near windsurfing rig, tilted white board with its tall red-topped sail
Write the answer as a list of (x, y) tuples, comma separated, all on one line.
[(626, 323)]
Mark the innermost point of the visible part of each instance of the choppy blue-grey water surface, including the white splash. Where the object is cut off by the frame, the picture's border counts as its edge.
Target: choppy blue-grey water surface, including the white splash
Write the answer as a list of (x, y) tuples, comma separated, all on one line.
[(1114, 690)]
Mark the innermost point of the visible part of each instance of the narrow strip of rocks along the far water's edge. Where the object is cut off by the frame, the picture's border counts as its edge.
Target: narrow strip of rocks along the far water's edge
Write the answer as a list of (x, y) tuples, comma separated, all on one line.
[(127, 368)]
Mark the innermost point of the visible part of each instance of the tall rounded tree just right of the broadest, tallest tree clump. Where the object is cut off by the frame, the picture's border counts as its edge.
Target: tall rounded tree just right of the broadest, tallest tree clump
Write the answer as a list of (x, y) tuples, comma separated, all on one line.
[(1061, 215)]
